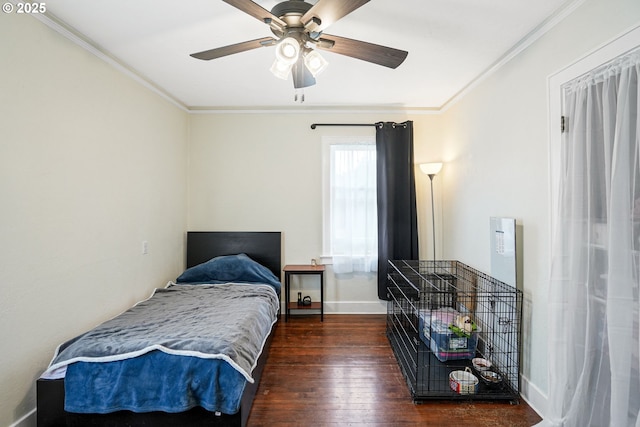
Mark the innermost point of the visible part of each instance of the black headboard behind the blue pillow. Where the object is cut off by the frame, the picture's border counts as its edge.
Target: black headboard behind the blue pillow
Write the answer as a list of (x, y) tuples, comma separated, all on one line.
[(263, 247)]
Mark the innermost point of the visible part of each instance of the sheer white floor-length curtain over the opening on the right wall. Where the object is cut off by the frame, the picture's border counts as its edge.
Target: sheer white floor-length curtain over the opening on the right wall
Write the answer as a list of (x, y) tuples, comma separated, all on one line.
[(593, 332)]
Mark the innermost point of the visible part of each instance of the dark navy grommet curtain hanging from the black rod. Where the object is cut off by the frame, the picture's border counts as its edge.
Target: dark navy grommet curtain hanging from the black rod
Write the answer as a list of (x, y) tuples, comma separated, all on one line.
[(397, 218)]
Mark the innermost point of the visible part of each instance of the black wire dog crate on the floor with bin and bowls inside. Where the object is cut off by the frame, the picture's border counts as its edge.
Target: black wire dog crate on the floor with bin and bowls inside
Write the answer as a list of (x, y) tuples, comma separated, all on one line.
[(454, 330)]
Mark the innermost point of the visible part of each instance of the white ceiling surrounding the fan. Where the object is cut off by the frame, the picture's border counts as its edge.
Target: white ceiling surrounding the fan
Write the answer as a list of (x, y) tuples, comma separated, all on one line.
[(450, 43)]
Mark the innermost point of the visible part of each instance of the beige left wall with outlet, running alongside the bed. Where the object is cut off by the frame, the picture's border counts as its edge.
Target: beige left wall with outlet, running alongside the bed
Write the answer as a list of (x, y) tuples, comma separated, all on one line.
[(91, 165)]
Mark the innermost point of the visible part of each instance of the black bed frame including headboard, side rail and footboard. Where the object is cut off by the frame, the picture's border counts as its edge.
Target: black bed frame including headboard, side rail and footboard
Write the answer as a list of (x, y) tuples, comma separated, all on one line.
[(263, 247)]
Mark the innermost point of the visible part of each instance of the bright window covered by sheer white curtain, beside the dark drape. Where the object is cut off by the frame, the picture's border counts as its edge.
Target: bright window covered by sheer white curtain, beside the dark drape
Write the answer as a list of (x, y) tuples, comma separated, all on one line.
[(350, 212)]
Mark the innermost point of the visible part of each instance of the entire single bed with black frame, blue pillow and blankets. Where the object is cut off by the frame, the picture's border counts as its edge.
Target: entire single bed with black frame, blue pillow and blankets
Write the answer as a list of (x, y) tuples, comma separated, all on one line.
[(193, 354)]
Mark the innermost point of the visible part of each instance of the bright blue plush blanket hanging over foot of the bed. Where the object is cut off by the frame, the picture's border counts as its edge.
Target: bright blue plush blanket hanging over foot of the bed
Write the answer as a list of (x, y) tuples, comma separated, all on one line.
[(182, 383)]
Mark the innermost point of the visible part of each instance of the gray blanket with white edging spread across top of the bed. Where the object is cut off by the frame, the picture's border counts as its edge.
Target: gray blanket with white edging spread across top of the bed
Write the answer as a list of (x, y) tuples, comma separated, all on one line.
[(228, 321)]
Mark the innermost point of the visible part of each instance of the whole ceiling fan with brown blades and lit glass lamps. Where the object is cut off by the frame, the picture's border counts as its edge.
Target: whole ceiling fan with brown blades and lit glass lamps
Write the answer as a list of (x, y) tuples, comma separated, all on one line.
[(298, 27)]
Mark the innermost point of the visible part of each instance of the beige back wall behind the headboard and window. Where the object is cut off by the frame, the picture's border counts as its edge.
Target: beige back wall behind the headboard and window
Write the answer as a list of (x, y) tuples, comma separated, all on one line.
[(264, 172)]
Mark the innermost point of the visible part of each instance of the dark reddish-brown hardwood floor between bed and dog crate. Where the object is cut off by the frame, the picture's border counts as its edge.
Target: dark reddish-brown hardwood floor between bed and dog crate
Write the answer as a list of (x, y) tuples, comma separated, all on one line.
[(342, 372)]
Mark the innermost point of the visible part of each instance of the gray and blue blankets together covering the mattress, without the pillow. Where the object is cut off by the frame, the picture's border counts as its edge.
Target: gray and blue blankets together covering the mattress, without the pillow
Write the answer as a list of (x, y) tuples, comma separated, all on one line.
[(186, 346)]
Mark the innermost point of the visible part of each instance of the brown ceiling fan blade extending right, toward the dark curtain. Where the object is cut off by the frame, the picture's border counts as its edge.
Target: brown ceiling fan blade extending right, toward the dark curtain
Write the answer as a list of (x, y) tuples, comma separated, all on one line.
[(381, 55)]
